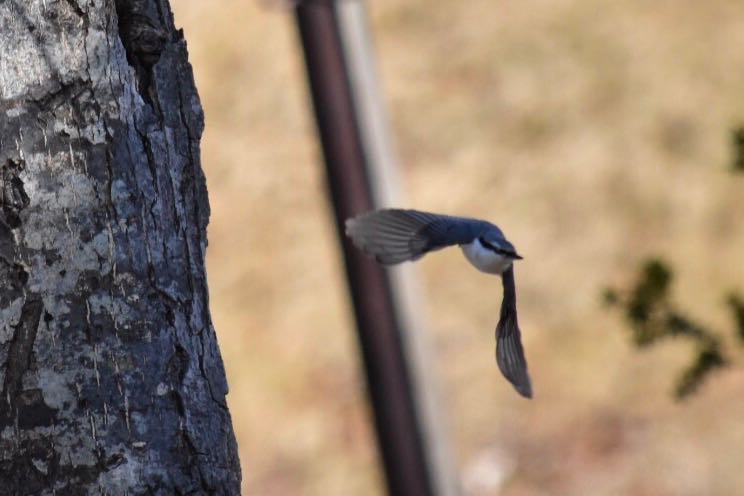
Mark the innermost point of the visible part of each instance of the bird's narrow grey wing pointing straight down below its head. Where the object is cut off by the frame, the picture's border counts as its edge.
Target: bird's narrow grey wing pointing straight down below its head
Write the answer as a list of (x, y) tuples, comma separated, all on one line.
[(509, 351)]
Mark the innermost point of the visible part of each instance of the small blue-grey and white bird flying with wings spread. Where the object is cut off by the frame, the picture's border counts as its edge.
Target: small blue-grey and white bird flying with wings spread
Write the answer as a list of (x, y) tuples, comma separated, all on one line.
[(394, 236)]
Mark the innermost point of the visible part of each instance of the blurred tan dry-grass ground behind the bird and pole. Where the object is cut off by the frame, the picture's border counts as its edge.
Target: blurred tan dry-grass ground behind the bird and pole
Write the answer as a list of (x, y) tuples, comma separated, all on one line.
[(595, 133)]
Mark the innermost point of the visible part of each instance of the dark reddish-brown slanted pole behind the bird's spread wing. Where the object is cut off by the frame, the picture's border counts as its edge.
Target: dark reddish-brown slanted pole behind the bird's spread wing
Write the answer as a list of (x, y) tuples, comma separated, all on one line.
[(399, 430)]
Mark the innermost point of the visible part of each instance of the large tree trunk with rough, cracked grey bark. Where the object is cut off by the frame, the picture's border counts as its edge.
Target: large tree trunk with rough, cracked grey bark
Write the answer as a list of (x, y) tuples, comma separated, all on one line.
[(111, 378)]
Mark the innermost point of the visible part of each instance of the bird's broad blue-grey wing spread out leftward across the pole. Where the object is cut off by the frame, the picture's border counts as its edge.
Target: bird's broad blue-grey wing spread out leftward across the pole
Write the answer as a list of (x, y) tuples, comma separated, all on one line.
[(394, 235)]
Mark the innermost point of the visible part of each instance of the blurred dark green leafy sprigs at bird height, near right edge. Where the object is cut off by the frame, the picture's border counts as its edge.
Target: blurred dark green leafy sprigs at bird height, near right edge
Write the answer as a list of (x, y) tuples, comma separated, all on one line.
[(652, 316)]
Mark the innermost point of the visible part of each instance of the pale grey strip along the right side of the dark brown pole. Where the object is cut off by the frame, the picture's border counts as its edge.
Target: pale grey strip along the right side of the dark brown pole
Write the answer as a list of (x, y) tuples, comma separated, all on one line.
[(382, 173)]
